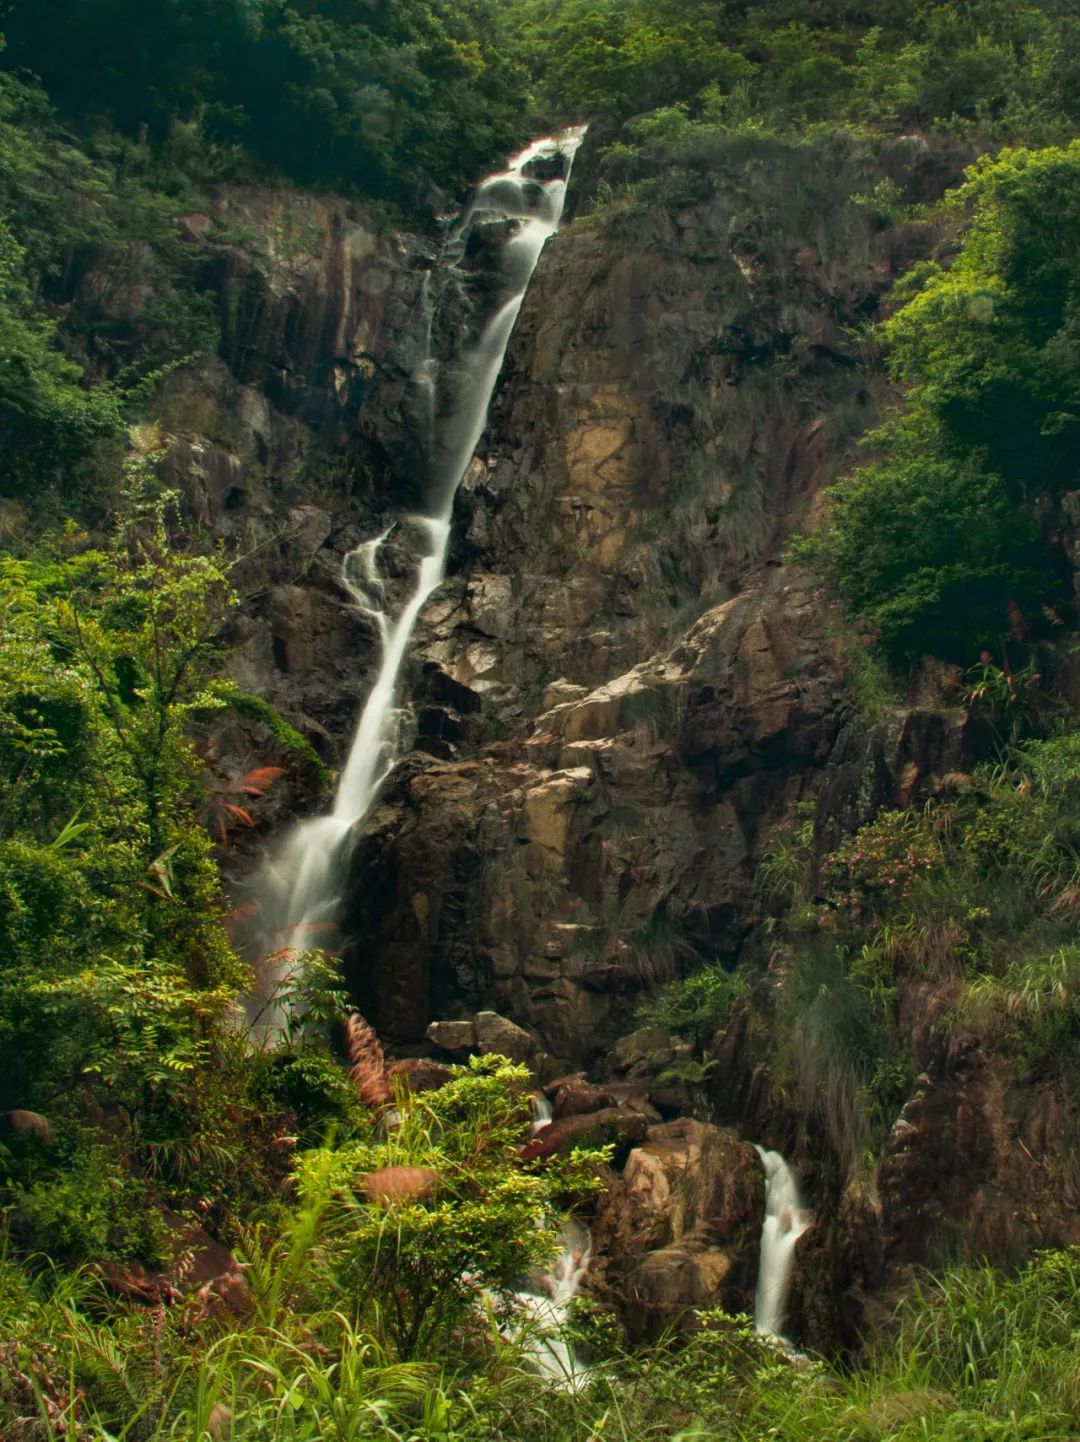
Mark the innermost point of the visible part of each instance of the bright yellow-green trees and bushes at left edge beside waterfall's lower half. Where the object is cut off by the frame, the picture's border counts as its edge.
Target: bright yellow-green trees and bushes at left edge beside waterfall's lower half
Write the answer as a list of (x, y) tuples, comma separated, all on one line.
[(116, 976)]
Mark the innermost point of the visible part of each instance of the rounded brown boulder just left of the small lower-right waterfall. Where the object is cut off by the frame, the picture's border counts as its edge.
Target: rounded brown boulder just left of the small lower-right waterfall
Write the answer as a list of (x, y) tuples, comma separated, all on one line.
[(680, 1229)]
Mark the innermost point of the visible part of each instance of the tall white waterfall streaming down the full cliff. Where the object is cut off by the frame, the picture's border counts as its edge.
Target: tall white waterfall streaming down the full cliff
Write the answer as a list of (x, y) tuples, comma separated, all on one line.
[(301, 886)]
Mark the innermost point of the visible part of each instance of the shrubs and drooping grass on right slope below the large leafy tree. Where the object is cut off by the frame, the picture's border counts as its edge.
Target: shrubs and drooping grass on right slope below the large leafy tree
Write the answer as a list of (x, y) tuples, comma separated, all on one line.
[(980, 893)]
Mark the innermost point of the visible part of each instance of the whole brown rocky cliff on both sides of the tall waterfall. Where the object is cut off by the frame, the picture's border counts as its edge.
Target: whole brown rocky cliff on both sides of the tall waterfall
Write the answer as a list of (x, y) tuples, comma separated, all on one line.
[(624, 693)]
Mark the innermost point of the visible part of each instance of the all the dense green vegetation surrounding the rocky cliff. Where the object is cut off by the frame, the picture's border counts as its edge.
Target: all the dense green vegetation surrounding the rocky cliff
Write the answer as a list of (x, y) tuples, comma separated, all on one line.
[(379, 1261)]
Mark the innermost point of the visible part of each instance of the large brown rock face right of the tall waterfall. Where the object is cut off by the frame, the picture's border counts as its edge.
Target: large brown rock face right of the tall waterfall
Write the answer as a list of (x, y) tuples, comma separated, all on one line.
[(622, 693)]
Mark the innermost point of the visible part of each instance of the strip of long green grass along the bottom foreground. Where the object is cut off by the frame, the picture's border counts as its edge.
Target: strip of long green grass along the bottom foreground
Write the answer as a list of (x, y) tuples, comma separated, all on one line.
[(975, 1355)]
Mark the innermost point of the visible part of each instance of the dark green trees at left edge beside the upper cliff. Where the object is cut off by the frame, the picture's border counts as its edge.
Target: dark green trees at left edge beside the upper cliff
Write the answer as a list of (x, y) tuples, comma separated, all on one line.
[(71, 363)]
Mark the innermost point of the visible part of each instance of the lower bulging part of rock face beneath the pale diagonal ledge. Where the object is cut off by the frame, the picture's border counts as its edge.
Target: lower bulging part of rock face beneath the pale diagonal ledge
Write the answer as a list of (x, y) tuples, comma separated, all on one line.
[(625, 839)]
